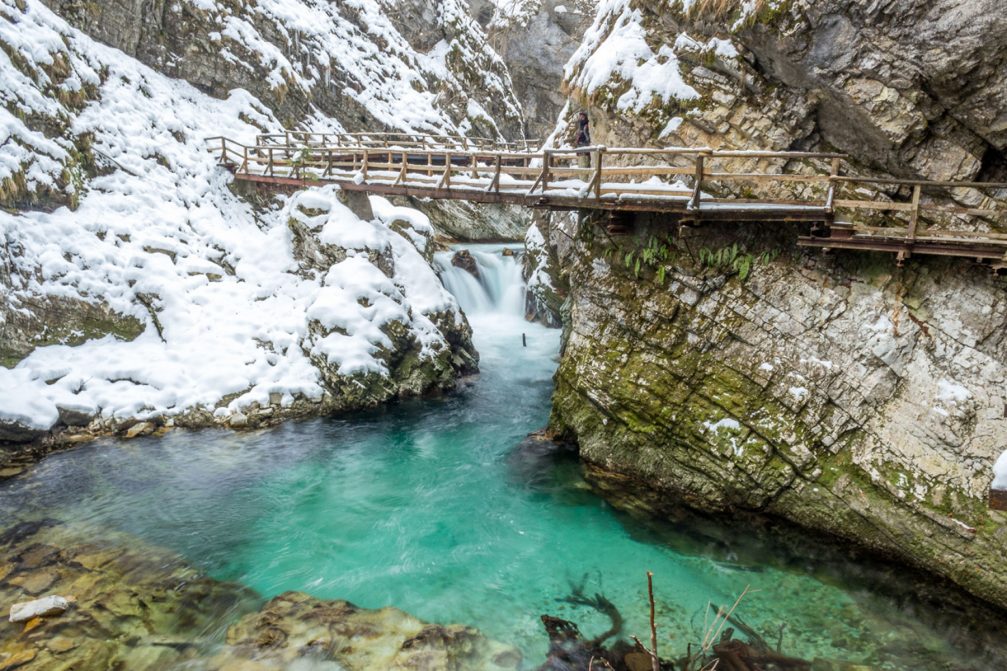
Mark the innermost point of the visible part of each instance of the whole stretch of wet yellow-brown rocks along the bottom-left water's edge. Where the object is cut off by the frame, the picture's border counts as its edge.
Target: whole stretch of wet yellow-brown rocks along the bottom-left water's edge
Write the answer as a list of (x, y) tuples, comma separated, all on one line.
[(137, 607)]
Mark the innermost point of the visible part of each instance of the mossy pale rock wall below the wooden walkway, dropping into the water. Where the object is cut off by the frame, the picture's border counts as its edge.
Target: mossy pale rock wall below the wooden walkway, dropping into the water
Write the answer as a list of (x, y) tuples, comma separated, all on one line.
[(839, 393)]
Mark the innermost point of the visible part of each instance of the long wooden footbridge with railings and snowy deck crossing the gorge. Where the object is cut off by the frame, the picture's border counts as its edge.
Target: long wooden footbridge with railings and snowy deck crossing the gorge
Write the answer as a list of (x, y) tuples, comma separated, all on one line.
[(904, 217)]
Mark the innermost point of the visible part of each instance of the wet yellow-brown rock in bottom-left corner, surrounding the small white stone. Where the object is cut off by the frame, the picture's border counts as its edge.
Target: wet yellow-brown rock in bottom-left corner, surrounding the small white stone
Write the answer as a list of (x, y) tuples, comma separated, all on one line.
[(134, 607)]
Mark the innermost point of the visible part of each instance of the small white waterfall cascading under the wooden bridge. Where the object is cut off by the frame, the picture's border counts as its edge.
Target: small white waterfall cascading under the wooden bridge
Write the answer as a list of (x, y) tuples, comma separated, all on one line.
[(500, 290)]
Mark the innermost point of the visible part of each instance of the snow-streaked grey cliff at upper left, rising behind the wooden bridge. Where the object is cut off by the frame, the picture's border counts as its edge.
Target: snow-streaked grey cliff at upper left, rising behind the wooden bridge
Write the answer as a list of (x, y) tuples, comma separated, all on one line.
[(309, 60)]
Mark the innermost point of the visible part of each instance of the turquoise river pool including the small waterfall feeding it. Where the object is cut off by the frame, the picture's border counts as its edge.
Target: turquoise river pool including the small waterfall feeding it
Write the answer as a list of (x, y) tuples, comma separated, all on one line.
[(425, 507)]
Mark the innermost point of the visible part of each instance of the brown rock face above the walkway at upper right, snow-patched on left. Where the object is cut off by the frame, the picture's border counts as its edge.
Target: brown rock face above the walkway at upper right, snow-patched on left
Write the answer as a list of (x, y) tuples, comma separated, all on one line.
[(910, 89)]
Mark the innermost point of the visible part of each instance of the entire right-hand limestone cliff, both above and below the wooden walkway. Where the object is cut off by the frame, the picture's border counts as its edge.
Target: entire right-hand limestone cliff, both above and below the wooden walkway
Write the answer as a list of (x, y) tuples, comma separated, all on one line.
[(724, 367)]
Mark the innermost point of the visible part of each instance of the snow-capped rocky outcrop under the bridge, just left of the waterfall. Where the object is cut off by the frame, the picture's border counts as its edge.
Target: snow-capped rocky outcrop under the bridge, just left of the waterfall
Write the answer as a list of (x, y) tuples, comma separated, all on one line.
[(410, 352)]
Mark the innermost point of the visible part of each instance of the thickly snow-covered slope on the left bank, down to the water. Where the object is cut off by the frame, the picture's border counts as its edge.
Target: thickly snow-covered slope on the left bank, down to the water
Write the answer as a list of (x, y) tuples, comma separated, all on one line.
[(234, 319)]
